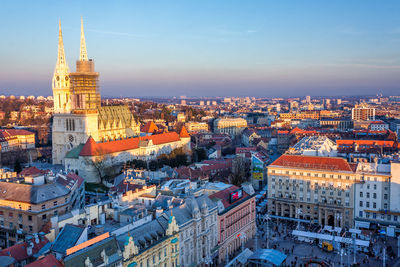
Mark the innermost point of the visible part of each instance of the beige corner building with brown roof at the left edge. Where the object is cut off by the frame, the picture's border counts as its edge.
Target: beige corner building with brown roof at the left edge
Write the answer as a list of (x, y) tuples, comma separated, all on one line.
[(27, 204)]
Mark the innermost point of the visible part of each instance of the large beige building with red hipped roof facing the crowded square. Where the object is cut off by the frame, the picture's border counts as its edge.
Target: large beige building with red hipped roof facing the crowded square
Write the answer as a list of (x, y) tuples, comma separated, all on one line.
[(316, 189)]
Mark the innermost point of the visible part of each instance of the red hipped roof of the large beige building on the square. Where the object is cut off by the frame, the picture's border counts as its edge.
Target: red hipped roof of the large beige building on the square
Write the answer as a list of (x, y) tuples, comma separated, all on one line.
[(311, 162)]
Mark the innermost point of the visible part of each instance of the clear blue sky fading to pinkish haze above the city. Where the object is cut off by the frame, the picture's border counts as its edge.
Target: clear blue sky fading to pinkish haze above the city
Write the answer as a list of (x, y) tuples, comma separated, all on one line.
[(207, 48)]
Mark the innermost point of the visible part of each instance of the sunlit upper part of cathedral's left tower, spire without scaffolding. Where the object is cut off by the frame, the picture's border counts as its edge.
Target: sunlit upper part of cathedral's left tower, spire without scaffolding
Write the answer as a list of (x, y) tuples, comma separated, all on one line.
[(61, 82)]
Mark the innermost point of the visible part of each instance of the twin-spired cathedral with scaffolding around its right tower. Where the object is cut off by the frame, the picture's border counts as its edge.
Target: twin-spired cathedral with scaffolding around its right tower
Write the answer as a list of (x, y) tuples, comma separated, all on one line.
[(78, 113)]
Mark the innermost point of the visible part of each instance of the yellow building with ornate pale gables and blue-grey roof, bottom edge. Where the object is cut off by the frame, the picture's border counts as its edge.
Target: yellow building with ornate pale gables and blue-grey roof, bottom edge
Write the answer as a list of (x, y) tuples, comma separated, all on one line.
[(153, 244)]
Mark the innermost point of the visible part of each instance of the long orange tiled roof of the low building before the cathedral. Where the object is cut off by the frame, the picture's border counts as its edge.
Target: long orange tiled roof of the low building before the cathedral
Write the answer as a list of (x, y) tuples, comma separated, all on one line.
[(91, 148)]
